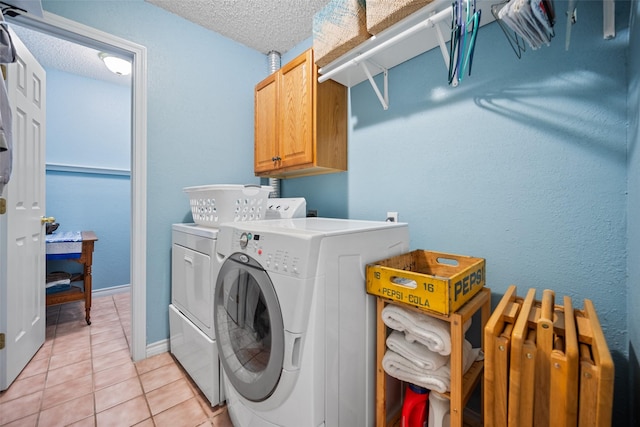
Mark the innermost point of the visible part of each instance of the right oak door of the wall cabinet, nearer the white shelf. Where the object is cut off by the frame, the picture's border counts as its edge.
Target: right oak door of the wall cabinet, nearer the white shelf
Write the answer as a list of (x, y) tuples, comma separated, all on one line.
[(296, 111)]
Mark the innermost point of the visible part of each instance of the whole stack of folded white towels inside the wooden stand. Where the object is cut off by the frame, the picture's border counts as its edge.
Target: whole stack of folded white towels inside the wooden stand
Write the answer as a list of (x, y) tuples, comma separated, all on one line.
[(421, 355)]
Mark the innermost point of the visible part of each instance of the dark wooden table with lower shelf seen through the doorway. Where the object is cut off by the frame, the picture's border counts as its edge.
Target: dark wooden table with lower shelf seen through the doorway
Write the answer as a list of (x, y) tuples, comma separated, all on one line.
[(75, 294)]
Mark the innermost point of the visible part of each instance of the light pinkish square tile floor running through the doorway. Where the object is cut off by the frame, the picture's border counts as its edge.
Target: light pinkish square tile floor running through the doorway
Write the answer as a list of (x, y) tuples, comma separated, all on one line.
[(83, 376)]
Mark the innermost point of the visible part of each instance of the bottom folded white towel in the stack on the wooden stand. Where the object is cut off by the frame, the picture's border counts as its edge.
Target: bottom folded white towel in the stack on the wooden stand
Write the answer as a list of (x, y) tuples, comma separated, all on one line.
[(439, 380)]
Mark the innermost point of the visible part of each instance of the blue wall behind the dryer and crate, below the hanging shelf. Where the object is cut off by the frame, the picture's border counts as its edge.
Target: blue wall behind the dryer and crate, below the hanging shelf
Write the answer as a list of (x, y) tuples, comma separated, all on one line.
[(524, 164)]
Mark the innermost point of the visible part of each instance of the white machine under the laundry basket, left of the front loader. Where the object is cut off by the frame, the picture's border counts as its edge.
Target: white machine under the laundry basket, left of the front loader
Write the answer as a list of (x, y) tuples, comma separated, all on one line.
[(192, 334)]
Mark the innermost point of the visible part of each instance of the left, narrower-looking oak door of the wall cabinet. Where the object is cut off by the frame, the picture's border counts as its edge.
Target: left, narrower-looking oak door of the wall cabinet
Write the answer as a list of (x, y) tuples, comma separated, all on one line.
[(266, 125)]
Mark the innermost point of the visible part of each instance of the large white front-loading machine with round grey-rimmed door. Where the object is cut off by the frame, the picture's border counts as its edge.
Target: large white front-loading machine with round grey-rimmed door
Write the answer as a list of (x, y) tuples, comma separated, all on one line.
[(295, 327)]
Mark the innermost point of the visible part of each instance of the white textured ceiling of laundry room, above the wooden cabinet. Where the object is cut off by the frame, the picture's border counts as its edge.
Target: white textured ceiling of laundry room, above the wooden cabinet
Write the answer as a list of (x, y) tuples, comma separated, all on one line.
[(263, 25)]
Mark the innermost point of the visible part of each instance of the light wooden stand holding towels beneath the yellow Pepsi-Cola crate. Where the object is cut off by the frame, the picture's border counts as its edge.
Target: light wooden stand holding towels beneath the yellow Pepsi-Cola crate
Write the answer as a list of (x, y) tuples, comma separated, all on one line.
[(461, 385)]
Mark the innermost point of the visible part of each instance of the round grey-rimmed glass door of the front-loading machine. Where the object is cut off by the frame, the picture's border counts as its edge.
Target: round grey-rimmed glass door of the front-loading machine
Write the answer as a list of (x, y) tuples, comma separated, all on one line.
[(249, 327)]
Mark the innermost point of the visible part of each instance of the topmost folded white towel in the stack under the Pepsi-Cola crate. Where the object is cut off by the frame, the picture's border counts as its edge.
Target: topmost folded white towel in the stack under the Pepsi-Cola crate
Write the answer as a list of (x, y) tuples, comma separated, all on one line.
[(420, 327)]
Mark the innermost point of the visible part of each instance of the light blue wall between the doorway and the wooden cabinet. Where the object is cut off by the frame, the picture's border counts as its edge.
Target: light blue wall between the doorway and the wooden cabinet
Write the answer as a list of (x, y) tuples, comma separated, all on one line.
[(200, 120)]
